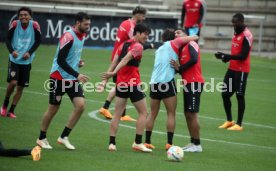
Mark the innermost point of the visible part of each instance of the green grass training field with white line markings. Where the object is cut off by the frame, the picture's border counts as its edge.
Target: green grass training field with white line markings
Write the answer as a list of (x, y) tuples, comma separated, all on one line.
[(252, 149)]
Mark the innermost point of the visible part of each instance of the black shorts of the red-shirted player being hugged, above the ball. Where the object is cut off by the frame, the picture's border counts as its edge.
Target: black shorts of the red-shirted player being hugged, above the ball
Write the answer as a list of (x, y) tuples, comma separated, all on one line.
[(191, 96)]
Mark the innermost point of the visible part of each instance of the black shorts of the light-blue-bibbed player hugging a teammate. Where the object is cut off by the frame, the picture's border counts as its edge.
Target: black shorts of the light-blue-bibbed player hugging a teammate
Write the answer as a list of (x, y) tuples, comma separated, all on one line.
[(163, 90)]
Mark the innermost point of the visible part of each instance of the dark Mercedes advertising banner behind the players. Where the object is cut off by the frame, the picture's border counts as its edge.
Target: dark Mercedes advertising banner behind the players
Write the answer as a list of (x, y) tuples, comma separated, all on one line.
[(102, 32)]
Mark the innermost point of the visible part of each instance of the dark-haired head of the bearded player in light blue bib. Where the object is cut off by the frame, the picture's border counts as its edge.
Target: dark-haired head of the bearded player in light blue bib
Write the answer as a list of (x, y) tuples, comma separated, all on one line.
[(82, 21)]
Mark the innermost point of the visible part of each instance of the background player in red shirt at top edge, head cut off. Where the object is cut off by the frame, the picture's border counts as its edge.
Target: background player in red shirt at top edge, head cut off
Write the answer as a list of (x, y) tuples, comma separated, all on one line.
[(192, 15)]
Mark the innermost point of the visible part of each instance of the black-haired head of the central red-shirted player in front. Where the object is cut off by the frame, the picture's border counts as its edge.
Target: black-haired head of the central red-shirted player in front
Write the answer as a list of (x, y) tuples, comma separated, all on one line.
[(141, 32)]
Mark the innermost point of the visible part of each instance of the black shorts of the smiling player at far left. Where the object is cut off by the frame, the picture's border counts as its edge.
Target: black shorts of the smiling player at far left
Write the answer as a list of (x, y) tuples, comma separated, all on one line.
[(20, 73)]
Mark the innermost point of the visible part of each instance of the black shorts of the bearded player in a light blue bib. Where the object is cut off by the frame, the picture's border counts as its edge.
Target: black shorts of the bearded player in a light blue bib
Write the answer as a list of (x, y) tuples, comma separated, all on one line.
[(59, 87)]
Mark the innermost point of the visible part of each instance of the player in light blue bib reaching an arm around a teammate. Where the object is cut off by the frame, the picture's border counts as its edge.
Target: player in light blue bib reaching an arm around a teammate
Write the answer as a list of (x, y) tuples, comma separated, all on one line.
[(162, 84)]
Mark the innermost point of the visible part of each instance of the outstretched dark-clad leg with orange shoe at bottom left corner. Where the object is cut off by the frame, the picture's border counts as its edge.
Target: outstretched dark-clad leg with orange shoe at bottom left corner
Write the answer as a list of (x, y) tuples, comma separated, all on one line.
[(35, 152)]
